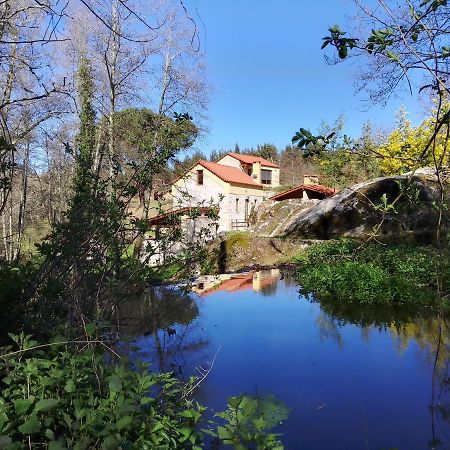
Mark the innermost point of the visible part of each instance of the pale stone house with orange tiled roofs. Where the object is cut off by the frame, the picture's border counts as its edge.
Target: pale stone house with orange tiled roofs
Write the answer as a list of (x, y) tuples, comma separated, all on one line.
[(236, 184)]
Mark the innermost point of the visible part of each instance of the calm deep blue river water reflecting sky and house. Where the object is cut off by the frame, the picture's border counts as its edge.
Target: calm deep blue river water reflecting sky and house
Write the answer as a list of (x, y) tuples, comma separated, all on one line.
[(353, 378)]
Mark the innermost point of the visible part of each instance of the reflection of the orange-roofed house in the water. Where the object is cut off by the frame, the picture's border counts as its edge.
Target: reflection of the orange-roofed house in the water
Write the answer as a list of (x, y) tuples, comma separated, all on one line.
[(260, 281)]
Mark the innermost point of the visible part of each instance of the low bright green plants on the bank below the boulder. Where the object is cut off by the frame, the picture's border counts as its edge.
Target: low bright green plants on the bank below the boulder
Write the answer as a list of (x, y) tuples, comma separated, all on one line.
[(373, 273)]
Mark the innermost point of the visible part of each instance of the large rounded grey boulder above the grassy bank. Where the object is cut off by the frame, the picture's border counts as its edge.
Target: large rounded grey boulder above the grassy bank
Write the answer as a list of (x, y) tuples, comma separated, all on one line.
[(360, 211)]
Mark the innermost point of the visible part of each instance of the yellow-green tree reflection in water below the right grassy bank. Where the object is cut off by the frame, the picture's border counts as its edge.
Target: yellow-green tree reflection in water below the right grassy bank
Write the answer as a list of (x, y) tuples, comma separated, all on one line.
[(430, 331)]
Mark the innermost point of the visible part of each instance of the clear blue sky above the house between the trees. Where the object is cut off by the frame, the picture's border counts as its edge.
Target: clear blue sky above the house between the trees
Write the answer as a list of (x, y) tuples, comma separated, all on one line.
[(269, 75)]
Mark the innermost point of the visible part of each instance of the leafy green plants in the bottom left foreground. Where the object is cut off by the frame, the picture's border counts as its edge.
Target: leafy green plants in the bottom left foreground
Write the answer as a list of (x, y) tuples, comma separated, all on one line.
[(73, 395)]
